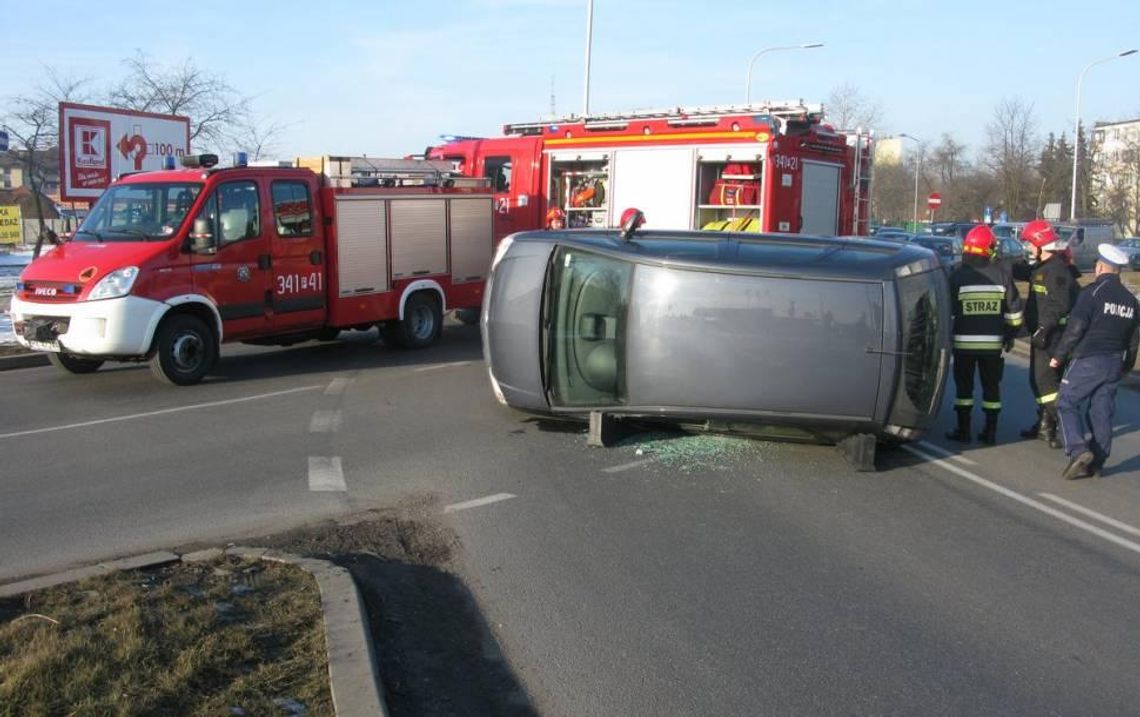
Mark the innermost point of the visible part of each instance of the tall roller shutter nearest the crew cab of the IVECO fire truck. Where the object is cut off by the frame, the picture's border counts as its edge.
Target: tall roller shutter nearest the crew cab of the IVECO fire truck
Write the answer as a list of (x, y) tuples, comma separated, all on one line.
[(362, 246)]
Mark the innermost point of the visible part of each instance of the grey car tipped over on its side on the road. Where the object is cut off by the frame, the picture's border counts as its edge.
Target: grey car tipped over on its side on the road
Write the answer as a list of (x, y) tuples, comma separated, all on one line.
[(792, 337)]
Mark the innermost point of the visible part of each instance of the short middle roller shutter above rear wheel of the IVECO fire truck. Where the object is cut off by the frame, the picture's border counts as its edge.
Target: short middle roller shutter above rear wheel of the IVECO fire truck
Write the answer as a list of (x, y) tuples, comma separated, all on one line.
[(419, 238)]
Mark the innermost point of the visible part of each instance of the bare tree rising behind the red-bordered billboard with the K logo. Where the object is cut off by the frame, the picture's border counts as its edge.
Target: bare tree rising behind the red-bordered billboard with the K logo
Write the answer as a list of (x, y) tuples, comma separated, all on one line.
[(213, 105)]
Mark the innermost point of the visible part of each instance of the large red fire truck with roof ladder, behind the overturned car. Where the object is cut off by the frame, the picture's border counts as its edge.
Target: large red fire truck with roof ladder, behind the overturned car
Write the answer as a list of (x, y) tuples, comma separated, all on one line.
[(758, 168)]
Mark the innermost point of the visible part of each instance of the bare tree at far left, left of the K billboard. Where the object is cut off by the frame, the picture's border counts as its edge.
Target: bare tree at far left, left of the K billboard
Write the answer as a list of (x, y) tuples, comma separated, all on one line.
[(34, 123)]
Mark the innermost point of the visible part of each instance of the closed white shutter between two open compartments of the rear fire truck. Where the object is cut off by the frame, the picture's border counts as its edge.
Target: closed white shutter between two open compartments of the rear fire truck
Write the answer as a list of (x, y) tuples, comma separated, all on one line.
[(659, 182)]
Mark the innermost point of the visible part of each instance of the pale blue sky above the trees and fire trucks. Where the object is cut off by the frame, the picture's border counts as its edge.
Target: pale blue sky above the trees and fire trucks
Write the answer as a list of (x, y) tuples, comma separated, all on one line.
[(387, 78)]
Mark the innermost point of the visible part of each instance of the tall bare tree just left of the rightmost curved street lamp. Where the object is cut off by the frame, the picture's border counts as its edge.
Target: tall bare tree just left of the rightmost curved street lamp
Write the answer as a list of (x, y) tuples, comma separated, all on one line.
[(1012, 156)]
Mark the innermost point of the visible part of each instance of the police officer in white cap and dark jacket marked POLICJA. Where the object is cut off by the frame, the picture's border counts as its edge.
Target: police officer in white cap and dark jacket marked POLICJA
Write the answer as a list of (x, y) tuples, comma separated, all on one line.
[(1102, 338)]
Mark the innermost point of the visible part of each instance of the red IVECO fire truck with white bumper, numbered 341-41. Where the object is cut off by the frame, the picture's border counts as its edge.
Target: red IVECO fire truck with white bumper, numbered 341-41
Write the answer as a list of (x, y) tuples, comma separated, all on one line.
[(169, 265)]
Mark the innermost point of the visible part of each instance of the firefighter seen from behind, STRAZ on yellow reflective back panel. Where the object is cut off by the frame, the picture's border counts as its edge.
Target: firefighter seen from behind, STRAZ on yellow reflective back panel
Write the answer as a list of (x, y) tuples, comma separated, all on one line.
[(987, 316)]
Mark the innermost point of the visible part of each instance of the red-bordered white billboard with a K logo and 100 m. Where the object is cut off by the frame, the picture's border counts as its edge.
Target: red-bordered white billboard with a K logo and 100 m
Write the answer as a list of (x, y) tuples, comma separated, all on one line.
[(99, 144)]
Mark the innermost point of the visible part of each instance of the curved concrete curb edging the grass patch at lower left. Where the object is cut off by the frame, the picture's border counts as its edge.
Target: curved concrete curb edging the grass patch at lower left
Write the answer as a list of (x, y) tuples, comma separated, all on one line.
[(354, 671)]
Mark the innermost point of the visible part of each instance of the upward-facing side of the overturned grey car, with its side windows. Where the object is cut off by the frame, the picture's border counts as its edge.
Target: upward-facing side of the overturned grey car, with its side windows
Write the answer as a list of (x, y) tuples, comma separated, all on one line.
[(772, 255)]
